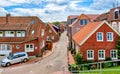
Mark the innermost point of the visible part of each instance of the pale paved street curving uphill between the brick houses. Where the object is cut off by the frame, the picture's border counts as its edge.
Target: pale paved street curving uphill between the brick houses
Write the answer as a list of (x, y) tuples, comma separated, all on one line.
[(56, 62)]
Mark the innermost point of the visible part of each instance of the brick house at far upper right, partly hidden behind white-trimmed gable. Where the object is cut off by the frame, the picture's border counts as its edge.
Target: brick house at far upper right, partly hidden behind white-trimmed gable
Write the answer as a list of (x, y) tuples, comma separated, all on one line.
[(112, 16)]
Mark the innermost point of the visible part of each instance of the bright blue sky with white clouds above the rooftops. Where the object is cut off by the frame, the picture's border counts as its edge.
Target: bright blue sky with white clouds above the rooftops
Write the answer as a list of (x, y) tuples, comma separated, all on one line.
[(55, 10)]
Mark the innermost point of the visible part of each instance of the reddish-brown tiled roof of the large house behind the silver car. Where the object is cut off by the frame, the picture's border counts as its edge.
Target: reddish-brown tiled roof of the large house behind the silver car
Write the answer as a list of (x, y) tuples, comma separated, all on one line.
[(21, 23)]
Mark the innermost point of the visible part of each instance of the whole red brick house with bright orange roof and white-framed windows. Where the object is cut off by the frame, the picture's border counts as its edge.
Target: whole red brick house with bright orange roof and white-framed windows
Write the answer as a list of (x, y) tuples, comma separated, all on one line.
[(96, 41)]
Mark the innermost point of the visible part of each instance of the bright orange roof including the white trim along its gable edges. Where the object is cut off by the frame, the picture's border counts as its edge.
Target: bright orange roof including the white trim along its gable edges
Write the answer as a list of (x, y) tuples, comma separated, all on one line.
[(83, 34)]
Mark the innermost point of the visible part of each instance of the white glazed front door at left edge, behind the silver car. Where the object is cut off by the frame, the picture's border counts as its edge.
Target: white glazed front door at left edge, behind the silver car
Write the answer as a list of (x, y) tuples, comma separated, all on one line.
[(5, 49)]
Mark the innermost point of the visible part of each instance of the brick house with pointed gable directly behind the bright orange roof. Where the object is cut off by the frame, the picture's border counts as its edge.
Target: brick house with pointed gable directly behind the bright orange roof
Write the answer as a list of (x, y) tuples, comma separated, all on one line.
[(75, 23)]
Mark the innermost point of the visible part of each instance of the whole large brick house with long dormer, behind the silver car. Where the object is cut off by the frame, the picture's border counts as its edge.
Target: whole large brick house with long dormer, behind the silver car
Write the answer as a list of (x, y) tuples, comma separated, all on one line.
[(21, 33)]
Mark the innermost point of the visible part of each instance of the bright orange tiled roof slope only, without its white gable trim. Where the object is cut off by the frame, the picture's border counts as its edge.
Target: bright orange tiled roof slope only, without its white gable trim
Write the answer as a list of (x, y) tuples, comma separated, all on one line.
[(85, 32)]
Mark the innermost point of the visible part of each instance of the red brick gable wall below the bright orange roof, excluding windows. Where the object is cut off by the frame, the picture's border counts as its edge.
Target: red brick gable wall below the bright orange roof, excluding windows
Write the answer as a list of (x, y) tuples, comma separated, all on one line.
[(93, 44)]
